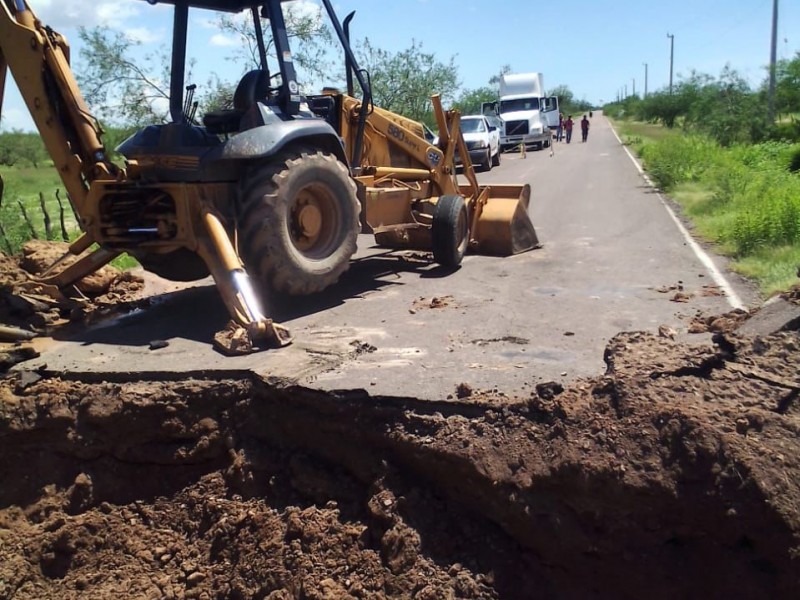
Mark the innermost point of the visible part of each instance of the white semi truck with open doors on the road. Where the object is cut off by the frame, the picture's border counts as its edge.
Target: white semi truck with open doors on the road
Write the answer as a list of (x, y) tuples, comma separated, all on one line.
[(529, 117)]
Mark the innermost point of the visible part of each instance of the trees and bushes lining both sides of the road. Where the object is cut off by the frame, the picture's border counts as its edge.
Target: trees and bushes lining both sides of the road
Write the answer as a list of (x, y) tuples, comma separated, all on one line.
[(127, 91)]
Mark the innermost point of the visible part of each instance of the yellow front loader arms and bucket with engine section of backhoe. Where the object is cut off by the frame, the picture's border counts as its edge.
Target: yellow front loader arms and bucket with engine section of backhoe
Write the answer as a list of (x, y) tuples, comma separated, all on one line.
[(402, 175)]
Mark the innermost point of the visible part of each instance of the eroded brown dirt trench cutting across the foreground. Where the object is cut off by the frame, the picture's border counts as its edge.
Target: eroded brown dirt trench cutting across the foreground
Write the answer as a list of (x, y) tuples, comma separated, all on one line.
[(675, 474)]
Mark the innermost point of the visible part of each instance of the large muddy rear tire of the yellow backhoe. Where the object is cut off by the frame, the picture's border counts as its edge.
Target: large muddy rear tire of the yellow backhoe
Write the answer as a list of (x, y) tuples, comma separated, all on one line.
[(299, 222)]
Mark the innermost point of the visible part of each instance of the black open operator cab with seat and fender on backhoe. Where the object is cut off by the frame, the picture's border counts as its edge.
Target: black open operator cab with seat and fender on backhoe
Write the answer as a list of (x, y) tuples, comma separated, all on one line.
[(268, 111)]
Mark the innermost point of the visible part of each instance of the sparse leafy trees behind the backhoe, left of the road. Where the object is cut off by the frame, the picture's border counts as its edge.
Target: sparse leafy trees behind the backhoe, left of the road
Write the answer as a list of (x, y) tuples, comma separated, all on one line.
[(128, 88)]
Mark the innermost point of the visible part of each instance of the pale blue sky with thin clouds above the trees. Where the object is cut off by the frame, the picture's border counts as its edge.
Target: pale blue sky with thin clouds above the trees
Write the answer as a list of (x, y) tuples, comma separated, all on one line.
[(595, 47)]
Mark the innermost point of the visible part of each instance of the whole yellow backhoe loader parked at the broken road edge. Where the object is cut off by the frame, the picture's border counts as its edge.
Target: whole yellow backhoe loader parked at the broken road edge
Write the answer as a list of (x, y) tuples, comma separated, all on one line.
[(278, 186)]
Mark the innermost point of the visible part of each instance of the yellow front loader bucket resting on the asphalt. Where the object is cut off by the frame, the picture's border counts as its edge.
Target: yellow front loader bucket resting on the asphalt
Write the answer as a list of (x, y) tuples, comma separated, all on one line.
[(503, 226)]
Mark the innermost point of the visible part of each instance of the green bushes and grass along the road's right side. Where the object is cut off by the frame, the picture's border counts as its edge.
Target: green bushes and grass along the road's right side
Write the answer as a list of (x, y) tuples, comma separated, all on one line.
[(711, 147)]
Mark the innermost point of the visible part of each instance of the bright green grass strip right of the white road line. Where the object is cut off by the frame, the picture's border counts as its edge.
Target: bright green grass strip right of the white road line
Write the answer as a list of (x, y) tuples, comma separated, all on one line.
[(743, 198)]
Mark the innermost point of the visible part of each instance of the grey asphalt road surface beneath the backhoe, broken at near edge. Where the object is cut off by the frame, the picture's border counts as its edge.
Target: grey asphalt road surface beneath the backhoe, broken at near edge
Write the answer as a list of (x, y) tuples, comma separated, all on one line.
[(610, 249)]
